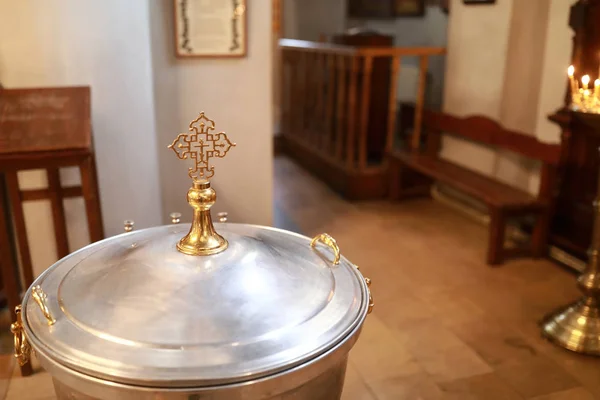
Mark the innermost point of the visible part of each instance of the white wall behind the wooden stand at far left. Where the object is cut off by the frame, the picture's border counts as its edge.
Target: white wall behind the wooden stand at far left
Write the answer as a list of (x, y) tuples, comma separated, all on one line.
[(103, 44)]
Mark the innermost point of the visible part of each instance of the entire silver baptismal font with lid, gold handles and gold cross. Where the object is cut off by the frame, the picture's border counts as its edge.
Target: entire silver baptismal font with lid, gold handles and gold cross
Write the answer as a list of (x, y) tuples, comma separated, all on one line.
[(246, 313)]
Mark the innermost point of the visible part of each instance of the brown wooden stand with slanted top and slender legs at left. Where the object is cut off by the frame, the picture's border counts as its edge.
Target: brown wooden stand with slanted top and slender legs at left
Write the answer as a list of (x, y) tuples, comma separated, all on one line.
[(44, 129)]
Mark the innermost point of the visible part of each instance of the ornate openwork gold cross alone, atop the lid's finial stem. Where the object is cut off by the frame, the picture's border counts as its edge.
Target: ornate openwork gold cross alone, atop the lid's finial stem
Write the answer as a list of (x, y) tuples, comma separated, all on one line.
[(201, 145)]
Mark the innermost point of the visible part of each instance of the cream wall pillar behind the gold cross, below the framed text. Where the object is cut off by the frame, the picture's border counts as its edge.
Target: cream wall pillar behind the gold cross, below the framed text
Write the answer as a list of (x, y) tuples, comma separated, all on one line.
[(236, 93)]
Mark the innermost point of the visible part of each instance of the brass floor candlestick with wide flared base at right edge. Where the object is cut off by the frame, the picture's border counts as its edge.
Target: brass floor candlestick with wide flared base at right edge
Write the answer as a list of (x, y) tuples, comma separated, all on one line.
[(577, 326)]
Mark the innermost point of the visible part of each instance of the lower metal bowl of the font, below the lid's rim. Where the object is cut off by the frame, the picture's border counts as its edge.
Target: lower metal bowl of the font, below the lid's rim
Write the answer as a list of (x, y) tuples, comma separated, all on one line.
[(318, 379)]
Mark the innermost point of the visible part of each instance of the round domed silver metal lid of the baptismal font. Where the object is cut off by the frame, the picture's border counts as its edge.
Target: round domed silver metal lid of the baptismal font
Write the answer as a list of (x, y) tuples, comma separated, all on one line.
[(134, 310)]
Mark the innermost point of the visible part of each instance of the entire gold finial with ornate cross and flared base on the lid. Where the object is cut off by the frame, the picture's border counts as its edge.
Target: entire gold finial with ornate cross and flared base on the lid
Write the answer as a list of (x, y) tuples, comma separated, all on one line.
[(201, 145)]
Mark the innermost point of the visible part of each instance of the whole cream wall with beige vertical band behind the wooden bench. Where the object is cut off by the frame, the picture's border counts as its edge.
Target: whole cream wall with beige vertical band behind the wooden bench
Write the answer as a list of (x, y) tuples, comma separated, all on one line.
[(476, 73)]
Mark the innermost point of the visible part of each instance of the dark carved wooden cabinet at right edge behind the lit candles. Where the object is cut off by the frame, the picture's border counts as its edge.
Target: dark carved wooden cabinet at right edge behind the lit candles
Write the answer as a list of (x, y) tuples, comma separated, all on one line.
[(571, 228)]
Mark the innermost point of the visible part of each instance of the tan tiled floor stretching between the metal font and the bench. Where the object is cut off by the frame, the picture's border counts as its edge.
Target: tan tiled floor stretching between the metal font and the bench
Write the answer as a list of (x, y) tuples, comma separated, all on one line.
[(445, 325)]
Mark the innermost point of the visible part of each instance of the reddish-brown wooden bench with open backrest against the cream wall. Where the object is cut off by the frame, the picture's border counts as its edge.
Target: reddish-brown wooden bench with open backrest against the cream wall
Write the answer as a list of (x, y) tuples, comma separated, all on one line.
[(412, 172)]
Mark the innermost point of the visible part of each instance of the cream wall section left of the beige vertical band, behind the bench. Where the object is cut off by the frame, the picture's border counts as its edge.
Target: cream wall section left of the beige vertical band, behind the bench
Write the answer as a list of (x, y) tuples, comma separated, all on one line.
[(475, 65)]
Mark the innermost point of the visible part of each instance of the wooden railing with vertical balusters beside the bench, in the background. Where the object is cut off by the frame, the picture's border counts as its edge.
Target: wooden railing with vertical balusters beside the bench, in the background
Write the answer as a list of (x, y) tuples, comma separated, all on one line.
[(325, 97)]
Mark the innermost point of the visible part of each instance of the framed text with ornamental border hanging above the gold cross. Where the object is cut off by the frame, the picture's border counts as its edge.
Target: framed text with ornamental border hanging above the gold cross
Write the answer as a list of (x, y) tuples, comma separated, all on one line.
[(210, 28)]
